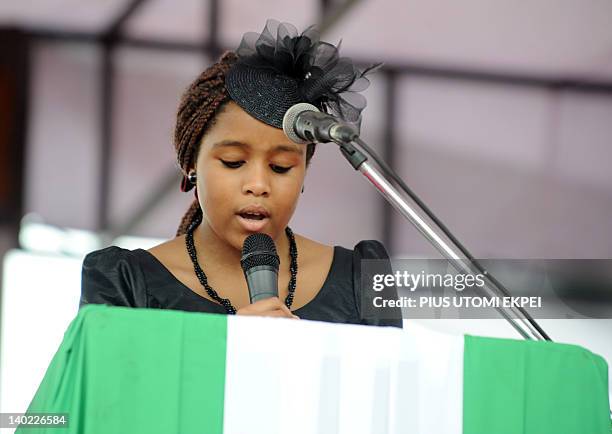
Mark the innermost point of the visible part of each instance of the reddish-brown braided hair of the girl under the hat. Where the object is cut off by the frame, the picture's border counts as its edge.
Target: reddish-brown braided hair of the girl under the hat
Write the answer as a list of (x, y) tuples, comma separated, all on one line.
[(199, 105)]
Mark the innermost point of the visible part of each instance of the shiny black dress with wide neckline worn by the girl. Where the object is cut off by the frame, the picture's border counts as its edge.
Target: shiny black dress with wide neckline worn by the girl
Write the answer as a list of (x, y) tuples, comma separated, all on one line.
[(135, 278)]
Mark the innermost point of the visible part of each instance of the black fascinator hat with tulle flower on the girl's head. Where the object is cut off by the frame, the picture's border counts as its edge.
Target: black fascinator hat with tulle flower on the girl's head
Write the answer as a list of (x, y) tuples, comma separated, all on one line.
[(279, 68)]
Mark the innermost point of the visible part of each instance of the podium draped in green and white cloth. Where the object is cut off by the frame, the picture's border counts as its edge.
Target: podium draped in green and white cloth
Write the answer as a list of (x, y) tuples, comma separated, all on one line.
[(121, 370)]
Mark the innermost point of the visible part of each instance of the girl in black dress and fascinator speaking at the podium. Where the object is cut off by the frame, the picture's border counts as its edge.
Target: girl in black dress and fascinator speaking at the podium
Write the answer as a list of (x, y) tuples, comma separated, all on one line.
[(248, 175)]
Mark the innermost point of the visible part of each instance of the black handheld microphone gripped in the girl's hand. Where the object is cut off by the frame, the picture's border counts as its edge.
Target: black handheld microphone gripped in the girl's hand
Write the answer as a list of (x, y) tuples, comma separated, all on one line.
[(260, 264)]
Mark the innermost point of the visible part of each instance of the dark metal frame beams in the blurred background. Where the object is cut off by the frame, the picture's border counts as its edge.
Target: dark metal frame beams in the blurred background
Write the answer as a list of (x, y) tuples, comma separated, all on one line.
[(331, 13)]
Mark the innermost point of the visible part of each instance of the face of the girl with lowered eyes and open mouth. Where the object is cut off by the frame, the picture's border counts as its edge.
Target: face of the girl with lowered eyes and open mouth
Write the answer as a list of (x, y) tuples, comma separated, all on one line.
[(249, 176)]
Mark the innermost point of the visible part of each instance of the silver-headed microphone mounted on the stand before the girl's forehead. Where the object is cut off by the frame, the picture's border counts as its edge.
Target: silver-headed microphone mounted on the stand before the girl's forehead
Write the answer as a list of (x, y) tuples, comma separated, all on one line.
[(304, 123)]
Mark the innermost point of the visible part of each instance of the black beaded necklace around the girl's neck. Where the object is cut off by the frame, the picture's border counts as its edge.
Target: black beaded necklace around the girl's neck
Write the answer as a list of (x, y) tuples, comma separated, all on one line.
[(226, 303)]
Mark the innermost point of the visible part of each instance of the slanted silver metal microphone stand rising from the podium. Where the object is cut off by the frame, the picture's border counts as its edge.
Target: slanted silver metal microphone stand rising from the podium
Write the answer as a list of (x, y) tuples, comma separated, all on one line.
[(397, 193)]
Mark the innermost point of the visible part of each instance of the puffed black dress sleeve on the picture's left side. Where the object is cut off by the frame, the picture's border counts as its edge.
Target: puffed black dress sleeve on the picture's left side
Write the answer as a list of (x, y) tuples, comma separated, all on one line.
[(112, 276)]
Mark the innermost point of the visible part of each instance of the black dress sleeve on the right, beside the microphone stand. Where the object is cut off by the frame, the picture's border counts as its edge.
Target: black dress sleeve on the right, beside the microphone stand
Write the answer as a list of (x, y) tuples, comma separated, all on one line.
[(364, 294)]
